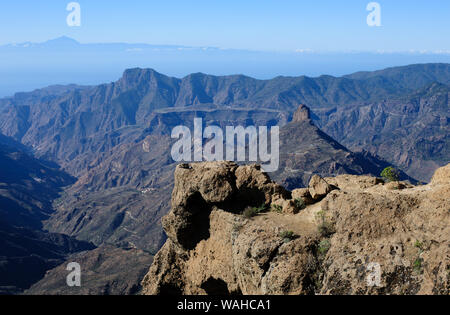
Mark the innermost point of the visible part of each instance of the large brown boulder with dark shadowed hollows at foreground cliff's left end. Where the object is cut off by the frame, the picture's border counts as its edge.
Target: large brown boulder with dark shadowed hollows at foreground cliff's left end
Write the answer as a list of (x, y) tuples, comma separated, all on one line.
[(201, 186)]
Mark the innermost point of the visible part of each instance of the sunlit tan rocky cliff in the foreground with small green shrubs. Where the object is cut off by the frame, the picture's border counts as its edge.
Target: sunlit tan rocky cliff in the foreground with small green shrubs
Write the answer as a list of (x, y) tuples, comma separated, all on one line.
[(342, 235)]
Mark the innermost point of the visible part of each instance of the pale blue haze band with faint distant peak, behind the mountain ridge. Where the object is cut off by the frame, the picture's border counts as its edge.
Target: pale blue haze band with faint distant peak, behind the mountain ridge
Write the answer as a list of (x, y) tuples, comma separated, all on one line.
[(27, 66)]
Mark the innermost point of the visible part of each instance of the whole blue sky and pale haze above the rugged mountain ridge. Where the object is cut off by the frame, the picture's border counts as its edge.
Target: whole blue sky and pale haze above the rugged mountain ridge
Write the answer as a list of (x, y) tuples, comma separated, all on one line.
[(261, 39)]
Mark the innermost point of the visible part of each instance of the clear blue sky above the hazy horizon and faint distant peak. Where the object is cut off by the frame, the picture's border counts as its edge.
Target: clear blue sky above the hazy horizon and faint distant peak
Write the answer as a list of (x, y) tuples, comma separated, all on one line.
[(243, 24)]
